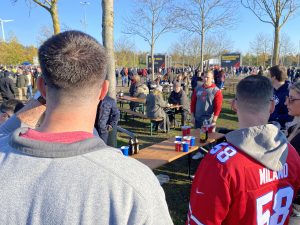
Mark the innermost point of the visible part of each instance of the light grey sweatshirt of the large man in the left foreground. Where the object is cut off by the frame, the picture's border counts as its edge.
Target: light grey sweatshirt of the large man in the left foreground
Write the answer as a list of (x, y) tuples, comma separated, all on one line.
[(85, 182)]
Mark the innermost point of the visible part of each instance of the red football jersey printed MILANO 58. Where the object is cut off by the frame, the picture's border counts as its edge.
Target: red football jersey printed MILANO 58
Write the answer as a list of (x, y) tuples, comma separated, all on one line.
[(231, 188)]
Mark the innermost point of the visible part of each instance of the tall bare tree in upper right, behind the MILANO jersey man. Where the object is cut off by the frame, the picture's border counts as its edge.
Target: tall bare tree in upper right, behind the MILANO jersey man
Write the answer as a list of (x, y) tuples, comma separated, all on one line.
[(274, 12)]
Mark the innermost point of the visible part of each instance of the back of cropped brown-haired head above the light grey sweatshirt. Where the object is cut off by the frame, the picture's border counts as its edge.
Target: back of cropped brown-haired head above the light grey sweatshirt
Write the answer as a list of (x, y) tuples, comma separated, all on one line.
[(73, 63)]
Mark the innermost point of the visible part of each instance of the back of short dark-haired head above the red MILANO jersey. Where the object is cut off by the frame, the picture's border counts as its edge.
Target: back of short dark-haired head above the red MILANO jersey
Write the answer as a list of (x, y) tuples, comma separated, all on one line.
[(254, 94)]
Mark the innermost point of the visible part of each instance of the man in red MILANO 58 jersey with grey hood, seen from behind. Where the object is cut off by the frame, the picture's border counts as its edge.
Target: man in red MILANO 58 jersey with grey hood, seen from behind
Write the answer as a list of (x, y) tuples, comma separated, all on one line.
[(253, 177)]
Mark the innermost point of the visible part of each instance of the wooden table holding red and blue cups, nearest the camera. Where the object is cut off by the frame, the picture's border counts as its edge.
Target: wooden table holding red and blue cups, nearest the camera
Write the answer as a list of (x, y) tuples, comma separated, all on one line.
[(164, 152)]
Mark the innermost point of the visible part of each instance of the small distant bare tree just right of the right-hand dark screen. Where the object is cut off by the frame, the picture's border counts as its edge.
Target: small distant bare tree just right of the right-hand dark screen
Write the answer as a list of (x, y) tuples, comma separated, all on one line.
[(261, 46)]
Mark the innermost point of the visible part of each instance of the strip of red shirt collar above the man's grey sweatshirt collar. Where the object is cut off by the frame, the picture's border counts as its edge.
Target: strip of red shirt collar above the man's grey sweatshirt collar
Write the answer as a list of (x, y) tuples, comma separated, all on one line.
[(65, 137)]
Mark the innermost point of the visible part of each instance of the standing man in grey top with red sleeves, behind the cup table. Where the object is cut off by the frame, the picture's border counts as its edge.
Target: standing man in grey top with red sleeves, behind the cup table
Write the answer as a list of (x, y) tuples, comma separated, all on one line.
[(206, 104)]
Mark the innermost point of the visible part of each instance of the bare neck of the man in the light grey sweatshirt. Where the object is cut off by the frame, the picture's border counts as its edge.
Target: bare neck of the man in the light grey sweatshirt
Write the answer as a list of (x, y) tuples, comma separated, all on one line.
[(61, 119)]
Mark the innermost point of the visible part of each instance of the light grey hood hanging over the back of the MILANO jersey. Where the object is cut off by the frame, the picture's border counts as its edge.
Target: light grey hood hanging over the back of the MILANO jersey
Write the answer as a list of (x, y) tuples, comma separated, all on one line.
[(265, 143)]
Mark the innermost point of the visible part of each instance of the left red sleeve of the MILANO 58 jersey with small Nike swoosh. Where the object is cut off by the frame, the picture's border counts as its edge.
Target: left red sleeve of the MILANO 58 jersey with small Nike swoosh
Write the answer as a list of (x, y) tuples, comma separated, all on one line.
[(210, 195)]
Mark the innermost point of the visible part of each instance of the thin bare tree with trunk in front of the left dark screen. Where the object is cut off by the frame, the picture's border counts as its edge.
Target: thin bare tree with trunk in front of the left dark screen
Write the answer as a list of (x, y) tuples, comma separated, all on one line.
[(149, 20)]
